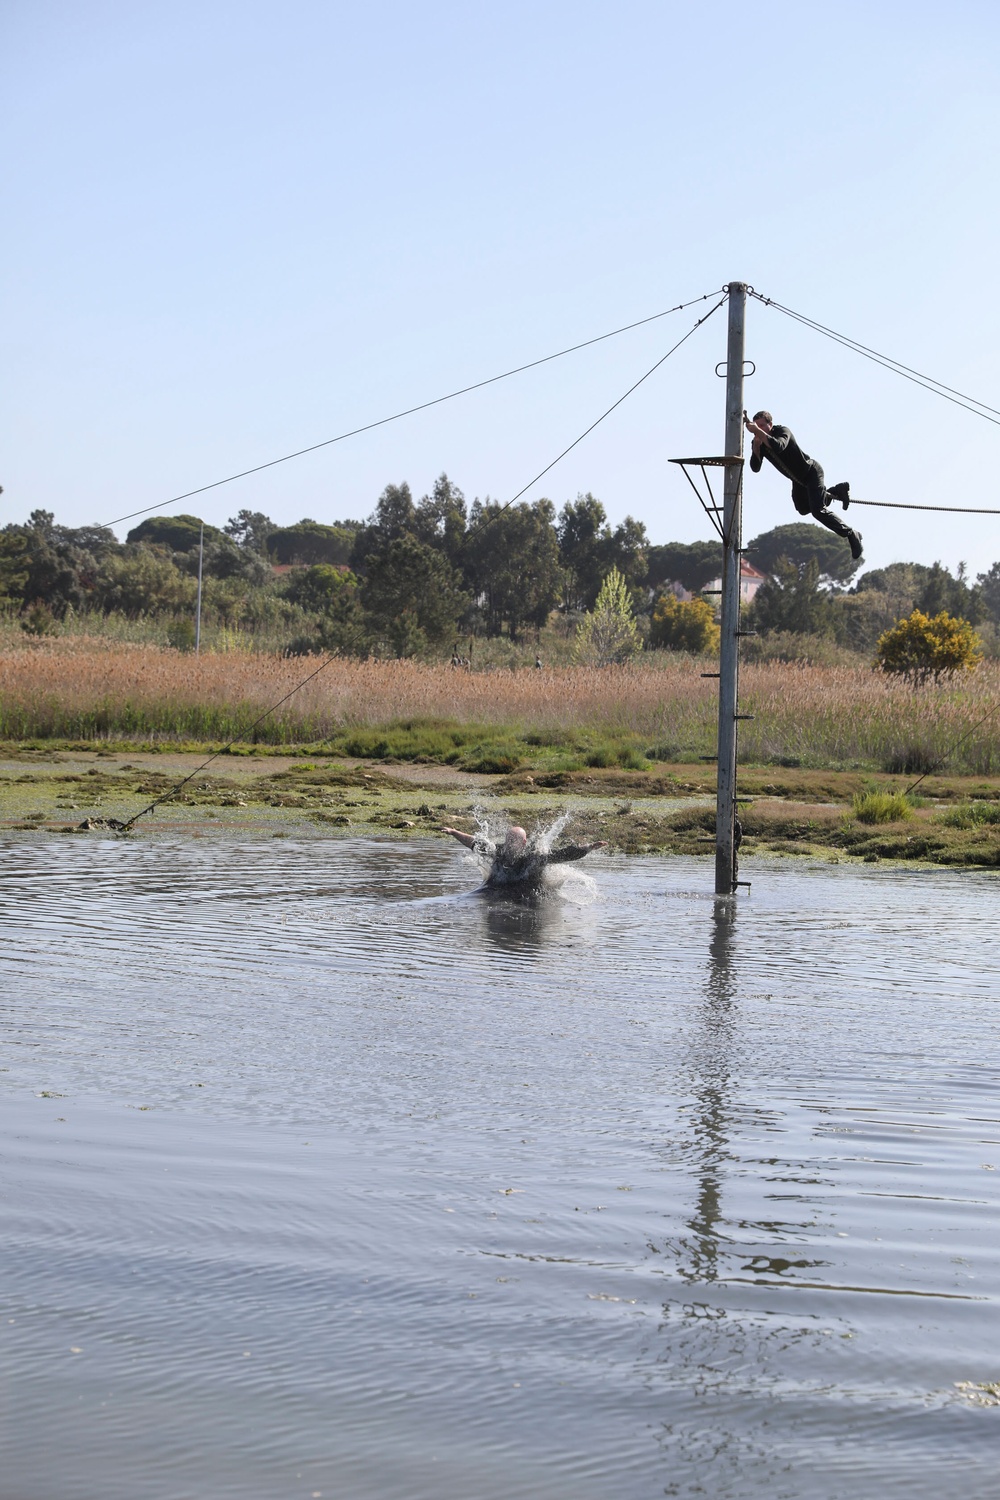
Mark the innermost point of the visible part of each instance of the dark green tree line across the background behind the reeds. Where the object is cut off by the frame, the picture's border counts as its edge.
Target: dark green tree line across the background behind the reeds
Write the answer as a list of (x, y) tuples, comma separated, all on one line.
[(419, 574)]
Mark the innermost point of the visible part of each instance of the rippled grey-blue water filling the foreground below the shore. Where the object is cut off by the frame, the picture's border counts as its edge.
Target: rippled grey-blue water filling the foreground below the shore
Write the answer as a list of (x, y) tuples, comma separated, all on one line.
[(323, 1177)]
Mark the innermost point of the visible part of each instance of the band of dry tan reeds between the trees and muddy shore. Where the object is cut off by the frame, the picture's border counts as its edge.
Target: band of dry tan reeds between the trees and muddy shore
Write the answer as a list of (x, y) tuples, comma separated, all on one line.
[(80, 689)]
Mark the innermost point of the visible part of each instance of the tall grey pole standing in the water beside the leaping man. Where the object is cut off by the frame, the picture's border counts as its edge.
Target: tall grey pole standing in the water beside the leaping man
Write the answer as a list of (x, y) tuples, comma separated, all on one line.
[(732, 554)]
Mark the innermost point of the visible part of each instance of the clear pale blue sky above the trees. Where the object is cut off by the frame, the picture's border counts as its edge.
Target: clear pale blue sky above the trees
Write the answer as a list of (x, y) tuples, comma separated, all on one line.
[(238, 229)]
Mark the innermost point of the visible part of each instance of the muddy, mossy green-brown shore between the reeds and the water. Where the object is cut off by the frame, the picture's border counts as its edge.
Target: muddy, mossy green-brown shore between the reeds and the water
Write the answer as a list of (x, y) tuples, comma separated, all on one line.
[(259, 794)]
